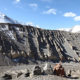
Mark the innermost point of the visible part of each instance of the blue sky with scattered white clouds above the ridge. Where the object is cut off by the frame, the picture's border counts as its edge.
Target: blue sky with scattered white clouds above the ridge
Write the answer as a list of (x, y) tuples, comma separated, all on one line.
[(46, 14)]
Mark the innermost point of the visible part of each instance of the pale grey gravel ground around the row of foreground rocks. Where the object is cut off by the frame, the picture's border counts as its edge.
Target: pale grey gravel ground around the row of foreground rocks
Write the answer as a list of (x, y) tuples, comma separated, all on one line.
[(67, 66)]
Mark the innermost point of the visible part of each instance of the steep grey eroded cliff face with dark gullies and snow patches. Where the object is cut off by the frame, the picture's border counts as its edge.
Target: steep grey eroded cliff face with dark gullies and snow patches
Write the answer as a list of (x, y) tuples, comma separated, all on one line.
[(25, 43)]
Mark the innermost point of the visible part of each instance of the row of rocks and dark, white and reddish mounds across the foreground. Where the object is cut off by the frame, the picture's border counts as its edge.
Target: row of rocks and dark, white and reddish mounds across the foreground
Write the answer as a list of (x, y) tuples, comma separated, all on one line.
[(37, 70)]
